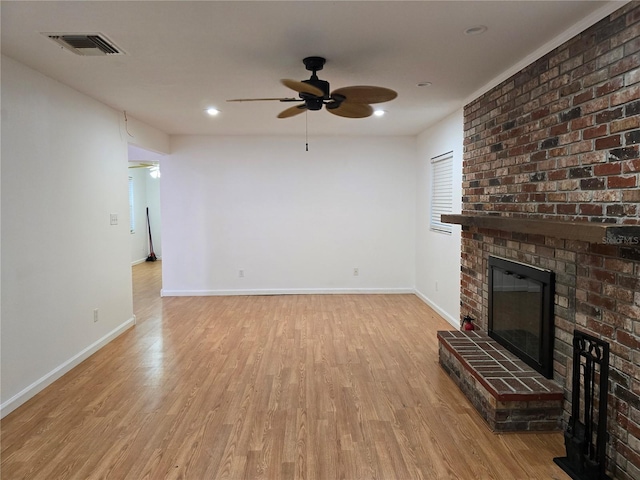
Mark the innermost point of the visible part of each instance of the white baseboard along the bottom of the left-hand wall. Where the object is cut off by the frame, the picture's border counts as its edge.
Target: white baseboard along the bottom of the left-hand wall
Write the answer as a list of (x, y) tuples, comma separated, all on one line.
[(40, 384)]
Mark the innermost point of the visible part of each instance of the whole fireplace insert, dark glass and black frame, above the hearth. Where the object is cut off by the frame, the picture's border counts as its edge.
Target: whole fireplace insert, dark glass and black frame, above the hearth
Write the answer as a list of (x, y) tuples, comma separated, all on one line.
[(521, 301)]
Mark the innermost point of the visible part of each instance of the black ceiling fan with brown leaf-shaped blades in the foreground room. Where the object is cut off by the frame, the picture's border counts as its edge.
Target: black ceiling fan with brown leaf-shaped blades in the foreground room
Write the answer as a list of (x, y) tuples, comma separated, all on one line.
[(349, 102)]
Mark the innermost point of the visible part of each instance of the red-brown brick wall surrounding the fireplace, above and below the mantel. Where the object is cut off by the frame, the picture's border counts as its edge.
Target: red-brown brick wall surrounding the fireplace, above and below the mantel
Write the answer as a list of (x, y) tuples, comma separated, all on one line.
[(561, 140)]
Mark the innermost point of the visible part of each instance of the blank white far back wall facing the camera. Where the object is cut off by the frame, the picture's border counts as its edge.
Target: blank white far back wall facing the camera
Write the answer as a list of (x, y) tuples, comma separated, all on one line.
[(293, 221)]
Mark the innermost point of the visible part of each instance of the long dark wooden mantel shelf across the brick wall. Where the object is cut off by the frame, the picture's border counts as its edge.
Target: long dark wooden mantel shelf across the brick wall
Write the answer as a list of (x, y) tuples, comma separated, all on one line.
[(626, 235)]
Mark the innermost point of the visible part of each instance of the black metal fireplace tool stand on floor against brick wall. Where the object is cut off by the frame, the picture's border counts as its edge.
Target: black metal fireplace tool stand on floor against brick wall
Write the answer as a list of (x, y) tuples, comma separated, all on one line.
[(585, 437)]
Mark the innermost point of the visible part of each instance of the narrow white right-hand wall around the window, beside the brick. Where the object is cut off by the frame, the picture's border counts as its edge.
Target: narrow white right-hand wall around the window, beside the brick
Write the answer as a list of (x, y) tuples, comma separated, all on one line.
[(438, 254)]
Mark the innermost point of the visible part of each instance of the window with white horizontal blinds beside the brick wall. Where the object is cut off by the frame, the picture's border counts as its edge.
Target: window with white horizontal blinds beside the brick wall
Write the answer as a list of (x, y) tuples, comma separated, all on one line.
[(441, 192)]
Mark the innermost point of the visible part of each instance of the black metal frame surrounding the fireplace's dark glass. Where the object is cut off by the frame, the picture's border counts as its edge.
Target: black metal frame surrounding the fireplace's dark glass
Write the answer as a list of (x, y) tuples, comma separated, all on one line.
[(546, 280)]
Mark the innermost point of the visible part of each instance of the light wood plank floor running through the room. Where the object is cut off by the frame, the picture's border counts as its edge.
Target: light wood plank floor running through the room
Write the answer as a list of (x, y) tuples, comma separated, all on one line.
[(275, 387)]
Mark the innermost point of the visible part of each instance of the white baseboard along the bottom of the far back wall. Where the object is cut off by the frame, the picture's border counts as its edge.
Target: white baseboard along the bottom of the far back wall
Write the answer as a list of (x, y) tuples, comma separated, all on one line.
[(285, 291)]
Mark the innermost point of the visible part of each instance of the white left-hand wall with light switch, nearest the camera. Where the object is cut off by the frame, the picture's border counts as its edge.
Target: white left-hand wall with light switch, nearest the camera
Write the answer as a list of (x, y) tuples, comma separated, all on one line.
[(64, 171)]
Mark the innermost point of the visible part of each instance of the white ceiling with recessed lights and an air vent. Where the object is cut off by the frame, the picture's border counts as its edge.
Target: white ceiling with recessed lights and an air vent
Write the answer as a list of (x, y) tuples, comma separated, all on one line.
[(184, 56)]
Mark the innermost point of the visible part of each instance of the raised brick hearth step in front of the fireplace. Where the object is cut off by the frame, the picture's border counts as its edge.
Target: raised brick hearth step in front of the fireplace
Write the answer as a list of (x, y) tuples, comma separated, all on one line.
[(508, 394)]
